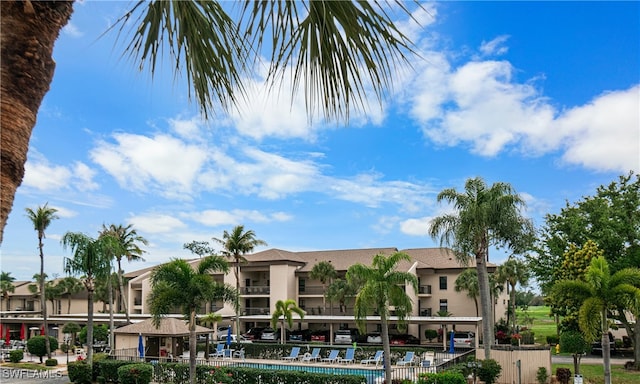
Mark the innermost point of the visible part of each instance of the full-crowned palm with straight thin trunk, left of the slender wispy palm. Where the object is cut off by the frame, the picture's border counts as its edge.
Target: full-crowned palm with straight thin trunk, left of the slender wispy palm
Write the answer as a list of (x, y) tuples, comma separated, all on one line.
[(90, 261)]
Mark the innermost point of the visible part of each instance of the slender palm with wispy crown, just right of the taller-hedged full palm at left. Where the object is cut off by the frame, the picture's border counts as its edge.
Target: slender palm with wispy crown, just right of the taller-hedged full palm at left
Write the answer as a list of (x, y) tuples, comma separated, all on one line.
[(129, 248)]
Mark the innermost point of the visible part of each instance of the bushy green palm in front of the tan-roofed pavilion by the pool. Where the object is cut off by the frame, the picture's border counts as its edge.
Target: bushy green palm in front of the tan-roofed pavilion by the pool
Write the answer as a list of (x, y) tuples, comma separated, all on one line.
[(177, 284)]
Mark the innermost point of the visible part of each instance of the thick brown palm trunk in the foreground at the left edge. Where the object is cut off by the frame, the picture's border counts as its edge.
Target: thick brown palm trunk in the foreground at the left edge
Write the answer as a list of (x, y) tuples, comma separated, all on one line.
[(29, 31)]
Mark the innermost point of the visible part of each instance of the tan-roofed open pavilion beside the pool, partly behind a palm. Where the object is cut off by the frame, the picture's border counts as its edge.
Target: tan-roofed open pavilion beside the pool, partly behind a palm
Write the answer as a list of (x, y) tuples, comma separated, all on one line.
[(165, 341)]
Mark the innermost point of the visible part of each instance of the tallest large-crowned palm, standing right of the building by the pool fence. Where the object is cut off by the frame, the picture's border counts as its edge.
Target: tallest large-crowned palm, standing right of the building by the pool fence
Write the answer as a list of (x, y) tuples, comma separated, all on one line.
[(484, 216)]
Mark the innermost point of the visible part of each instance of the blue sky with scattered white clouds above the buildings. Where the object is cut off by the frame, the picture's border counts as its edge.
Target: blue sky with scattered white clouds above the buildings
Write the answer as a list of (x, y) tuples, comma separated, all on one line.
[(542, 95)]
